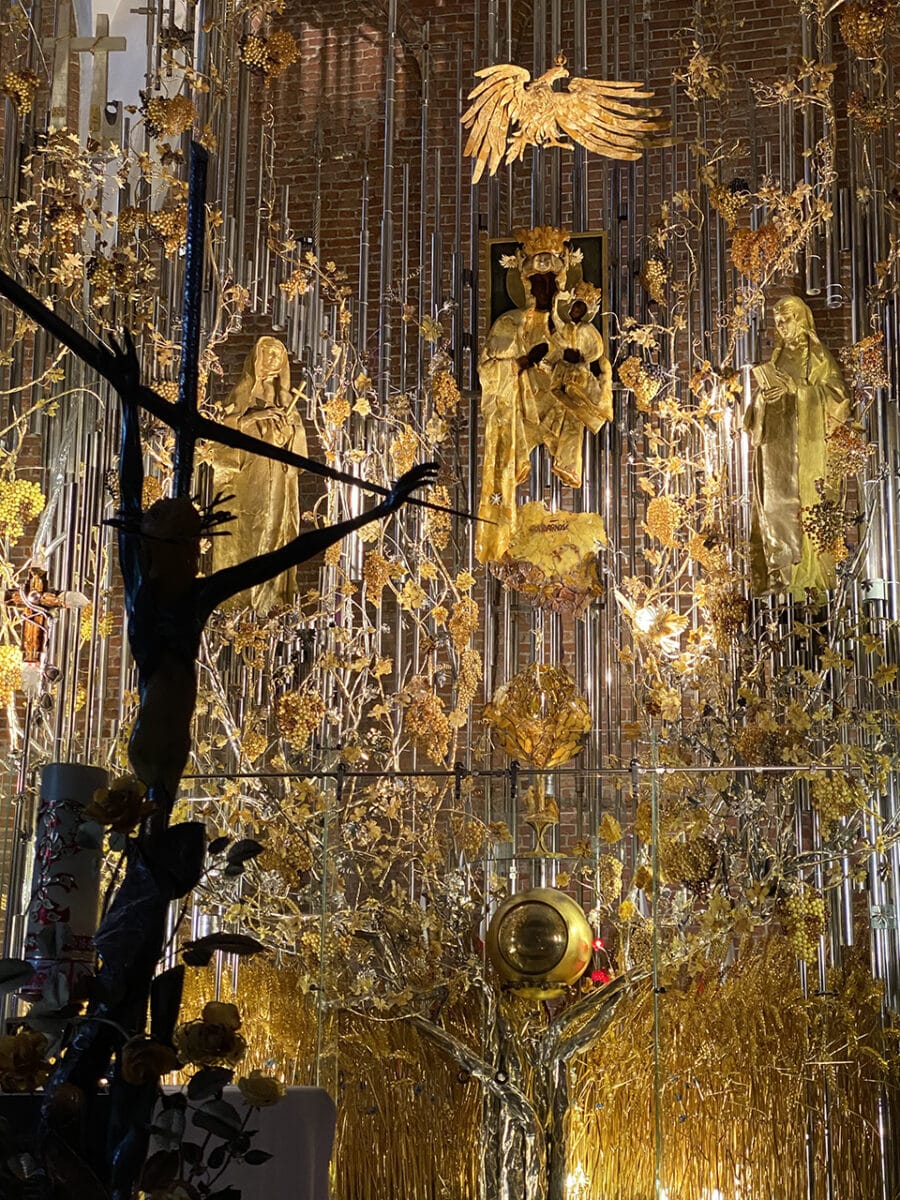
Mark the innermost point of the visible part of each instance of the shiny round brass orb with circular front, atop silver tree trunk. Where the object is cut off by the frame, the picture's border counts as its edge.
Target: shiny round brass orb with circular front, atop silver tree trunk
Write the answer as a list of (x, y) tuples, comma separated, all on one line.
[(541, 943)]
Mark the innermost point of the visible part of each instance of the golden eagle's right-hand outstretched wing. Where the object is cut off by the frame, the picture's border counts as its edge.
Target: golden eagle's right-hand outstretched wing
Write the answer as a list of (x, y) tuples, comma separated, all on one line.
[(602, 116)]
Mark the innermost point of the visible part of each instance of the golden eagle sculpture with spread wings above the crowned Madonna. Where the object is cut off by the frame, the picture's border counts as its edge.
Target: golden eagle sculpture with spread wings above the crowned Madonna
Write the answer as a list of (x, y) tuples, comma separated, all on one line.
[(599, 115)]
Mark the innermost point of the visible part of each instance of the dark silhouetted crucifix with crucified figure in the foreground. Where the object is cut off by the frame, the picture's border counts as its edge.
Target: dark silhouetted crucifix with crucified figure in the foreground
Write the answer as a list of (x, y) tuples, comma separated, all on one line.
[(167, 608)]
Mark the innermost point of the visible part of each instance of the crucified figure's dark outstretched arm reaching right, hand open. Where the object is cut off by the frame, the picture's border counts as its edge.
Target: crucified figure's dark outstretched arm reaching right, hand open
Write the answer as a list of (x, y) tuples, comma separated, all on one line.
[(229, 583)]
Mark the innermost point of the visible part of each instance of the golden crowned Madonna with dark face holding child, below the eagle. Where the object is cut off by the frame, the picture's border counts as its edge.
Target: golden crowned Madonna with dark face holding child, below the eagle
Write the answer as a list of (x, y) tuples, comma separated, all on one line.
[(545, 379)]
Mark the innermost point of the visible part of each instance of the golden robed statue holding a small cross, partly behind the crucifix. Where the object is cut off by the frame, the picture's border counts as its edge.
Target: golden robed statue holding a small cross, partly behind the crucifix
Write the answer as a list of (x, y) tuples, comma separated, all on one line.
[(267, 500)]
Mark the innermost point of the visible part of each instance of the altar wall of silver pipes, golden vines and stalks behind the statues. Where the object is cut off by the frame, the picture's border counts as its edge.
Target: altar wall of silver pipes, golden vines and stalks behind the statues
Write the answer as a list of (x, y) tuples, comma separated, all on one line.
[(729, 824)]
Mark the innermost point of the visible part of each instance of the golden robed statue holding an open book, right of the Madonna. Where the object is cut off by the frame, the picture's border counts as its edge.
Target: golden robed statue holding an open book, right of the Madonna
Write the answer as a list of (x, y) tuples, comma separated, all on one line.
[(800, 400)]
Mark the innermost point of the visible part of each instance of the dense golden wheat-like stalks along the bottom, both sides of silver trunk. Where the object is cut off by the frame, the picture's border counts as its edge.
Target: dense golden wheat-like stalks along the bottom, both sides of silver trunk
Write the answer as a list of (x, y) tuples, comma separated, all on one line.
[(749, 1066)]
